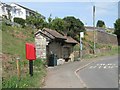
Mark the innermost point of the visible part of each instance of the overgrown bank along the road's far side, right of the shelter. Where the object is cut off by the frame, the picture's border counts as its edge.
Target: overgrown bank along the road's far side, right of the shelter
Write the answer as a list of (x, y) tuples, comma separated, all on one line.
[(102, 48)]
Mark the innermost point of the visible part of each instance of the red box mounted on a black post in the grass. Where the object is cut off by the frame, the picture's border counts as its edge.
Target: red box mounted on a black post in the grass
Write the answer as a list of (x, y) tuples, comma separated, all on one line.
[(30, 51)]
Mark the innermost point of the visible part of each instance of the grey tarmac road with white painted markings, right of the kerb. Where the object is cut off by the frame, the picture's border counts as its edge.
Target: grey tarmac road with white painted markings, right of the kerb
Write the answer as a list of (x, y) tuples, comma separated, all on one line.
[(101, 74)]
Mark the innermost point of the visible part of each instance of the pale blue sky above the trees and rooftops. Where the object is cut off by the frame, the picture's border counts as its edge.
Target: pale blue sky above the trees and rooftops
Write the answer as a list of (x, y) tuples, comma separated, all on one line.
[(104, 10)]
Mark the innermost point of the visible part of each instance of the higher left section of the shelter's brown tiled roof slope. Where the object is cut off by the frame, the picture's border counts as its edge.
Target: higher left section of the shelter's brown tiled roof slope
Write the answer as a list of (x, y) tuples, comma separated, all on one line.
[(54, 33)]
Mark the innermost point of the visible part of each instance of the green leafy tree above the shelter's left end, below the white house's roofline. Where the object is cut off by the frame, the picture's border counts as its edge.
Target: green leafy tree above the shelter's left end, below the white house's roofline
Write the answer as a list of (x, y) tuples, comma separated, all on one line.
[(37, 20)]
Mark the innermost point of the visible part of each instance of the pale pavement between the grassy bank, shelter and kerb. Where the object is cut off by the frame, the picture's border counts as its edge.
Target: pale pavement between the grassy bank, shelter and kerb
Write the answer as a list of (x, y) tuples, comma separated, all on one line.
[(64, 76)]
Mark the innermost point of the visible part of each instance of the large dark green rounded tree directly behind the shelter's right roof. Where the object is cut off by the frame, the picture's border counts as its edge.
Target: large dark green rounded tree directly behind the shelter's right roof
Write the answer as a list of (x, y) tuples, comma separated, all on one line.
[(74, 27)]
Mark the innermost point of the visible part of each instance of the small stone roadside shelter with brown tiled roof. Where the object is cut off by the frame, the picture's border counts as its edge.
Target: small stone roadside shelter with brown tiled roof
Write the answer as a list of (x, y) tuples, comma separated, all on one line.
[(49, 42)]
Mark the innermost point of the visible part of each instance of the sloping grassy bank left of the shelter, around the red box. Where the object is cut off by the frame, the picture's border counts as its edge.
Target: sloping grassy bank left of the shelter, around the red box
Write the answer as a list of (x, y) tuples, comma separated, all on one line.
[(13, 46)]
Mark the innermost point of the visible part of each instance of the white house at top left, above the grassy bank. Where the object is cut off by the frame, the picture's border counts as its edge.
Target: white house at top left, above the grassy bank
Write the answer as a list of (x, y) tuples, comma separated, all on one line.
[(15, 10)]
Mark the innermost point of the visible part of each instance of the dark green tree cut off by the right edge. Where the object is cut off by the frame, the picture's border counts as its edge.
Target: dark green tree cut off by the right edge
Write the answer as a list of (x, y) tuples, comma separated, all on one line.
[(117, 29)]
